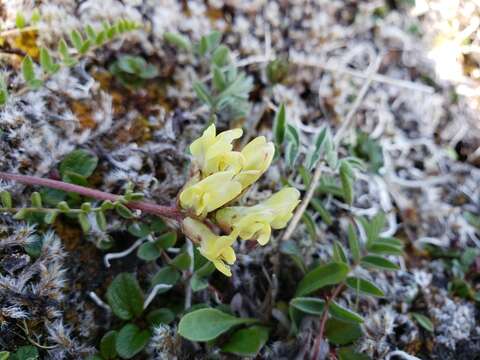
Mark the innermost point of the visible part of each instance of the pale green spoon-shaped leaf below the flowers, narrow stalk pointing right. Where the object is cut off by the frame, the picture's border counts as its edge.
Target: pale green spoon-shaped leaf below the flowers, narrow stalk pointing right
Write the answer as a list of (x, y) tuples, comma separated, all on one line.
[(208, 324)]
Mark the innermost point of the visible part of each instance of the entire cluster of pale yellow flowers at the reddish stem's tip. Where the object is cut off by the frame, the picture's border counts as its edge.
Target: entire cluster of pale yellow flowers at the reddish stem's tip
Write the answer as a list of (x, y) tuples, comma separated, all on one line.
[(220, 175)]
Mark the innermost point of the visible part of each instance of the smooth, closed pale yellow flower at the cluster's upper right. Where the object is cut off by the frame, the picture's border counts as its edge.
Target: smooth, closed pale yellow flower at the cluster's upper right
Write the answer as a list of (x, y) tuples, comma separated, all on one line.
[(258, 155)]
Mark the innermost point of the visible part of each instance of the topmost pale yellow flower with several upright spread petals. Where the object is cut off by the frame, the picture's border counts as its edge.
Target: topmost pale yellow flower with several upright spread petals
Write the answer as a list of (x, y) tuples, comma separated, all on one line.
[(213, 153)]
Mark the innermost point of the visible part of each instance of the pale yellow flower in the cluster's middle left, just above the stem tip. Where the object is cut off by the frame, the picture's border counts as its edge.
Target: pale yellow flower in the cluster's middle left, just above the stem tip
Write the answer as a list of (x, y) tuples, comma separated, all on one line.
[(210, 193)]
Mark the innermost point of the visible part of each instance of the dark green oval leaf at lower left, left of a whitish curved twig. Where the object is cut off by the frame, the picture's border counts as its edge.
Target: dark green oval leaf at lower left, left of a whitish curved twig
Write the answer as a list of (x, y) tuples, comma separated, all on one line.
[(125, 296)]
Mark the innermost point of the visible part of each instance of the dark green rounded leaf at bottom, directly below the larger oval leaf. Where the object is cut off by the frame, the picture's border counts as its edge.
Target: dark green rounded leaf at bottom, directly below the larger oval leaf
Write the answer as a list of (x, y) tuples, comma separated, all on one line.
[(131, 340)]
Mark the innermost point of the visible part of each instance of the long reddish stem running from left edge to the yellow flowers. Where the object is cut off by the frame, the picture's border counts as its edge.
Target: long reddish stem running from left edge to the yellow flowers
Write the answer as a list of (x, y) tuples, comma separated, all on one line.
[(147, 207)]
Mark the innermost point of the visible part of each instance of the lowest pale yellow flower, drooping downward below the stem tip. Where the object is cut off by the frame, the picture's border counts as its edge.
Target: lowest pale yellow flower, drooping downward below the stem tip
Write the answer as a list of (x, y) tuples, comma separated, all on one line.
[(217, 249)]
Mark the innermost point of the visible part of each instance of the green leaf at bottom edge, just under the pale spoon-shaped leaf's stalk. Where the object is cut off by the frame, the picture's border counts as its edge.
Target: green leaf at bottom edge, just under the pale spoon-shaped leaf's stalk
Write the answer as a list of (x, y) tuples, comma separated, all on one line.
[(247, 342)]
